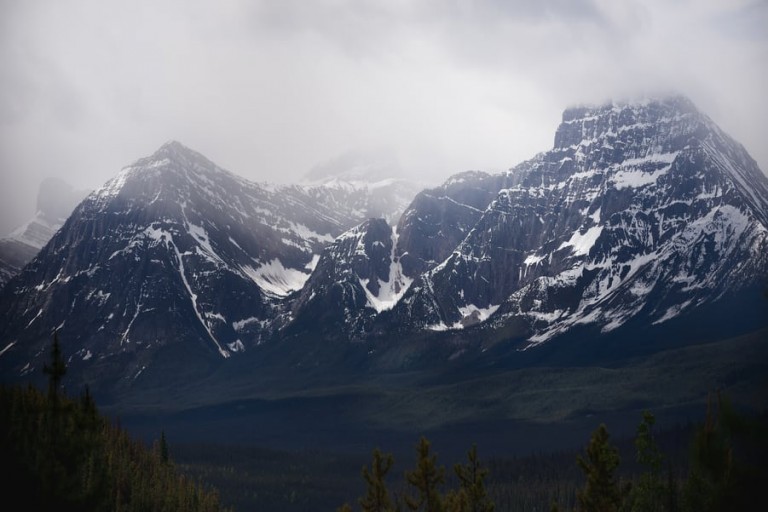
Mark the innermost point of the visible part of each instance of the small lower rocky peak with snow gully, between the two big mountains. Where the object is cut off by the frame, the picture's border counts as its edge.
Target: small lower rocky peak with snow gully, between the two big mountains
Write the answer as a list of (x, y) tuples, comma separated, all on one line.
[(366, 270)]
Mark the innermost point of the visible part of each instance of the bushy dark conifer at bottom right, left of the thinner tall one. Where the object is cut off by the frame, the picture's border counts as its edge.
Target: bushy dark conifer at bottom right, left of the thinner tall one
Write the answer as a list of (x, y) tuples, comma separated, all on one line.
[(601, 492)]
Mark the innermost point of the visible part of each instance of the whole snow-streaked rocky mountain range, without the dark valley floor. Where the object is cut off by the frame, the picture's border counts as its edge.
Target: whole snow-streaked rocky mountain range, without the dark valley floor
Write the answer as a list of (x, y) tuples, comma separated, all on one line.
[(644, 219)]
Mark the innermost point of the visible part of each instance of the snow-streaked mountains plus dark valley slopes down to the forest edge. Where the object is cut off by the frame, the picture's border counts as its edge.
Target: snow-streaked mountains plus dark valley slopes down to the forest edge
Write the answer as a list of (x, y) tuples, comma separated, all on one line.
[(623, 269)]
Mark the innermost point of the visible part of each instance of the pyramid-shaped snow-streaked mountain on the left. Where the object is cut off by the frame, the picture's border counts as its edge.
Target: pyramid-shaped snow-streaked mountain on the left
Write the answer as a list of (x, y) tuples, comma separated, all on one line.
[(174, 260)]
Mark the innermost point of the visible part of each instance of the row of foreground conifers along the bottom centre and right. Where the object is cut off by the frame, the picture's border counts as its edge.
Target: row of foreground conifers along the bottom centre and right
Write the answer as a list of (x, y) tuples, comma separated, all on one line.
[(727, 470)]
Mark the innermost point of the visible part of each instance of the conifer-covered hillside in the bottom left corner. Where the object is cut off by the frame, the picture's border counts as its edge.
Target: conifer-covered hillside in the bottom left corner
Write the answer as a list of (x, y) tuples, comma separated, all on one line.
[(59, 453)]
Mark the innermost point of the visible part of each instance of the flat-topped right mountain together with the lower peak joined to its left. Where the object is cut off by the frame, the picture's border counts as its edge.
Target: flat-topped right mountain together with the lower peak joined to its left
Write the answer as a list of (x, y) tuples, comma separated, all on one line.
[(641, 213)]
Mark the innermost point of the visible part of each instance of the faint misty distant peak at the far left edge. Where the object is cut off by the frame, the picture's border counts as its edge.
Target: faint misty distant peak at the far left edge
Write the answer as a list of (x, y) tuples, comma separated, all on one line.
[(55, 201)]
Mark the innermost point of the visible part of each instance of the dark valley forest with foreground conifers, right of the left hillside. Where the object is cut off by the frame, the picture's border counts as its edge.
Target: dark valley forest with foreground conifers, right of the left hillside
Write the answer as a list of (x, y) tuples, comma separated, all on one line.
[(716, 464)]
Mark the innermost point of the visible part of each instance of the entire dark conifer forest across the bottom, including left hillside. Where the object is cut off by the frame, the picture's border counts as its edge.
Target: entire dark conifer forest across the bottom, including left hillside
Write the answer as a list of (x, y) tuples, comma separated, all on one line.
[(61, 453)]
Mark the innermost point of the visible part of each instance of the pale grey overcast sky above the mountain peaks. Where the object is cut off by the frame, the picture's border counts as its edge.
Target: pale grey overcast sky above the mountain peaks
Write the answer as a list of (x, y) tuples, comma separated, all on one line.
[(271, 89)]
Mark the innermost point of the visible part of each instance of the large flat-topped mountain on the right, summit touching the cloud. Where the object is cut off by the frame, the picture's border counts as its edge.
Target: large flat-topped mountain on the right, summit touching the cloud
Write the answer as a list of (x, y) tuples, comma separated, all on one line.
[(640, 209)]
